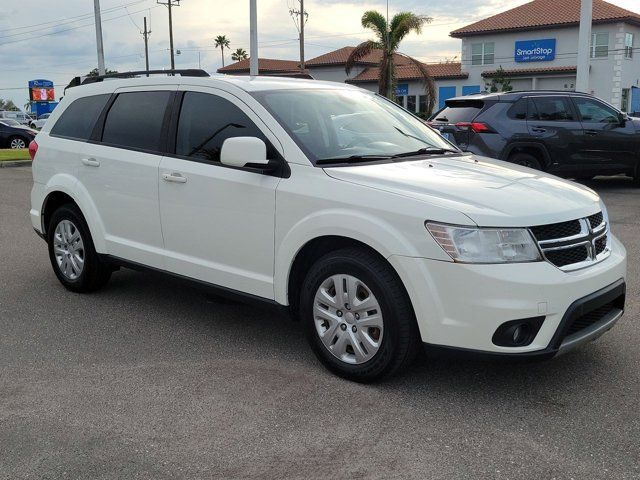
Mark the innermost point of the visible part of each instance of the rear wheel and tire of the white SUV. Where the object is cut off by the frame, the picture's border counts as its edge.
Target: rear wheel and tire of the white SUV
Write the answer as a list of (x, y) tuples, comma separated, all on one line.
[(72, 253)]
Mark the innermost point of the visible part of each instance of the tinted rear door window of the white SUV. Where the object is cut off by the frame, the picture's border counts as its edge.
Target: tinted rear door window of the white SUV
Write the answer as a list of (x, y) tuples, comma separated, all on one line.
[(135, 120)]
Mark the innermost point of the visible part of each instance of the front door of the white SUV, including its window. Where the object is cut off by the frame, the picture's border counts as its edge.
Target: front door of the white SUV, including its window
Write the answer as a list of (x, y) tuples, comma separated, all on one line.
[(218, 221)]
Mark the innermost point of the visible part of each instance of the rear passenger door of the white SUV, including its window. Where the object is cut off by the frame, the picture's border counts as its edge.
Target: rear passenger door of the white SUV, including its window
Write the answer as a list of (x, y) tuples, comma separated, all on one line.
[(119, 169)]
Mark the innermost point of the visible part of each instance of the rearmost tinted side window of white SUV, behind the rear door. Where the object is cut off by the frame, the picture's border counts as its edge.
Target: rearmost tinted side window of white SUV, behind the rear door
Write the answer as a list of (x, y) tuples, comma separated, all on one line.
[(78, 120)]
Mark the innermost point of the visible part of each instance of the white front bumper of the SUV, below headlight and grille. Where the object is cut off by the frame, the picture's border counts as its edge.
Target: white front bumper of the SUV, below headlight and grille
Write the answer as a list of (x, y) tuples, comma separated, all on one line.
[(460, 306)]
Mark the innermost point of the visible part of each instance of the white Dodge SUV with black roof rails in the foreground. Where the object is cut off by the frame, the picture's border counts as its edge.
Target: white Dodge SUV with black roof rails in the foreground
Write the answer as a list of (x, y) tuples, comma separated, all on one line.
[(329, 201)]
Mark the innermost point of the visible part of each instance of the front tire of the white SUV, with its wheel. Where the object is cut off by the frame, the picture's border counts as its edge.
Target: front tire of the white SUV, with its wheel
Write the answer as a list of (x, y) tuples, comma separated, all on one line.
[(392, 340)]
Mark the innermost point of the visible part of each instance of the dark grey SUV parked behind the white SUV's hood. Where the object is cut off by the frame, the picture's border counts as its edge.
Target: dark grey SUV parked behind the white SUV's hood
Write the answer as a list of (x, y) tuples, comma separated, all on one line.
[(569, 134)]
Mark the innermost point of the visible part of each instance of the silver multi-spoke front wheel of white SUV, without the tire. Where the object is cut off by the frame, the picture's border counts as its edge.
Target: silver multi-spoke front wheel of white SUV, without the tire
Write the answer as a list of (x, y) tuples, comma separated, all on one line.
[(348, 319)]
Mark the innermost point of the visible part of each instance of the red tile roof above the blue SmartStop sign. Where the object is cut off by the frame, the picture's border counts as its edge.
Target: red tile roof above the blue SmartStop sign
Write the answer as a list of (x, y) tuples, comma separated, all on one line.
[(546, 13)]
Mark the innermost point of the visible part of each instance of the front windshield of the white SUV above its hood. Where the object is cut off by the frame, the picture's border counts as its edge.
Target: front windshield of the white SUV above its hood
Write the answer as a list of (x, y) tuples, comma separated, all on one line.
[(336, 124)]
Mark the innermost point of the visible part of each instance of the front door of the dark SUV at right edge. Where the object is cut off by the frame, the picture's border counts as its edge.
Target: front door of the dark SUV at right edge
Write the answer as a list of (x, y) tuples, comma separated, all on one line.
[(612, 142)]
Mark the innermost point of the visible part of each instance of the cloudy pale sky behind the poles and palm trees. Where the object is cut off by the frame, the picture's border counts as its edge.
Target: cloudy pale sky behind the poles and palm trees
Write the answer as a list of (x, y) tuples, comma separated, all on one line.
[(56, 40)]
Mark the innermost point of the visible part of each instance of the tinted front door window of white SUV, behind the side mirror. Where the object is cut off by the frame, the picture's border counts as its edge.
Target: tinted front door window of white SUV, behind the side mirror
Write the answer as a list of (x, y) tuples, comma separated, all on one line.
[(206, 121)]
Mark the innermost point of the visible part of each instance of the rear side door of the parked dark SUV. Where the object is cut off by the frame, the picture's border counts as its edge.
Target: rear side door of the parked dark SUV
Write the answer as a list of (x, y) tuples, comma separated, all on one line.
[(552, 121)]
